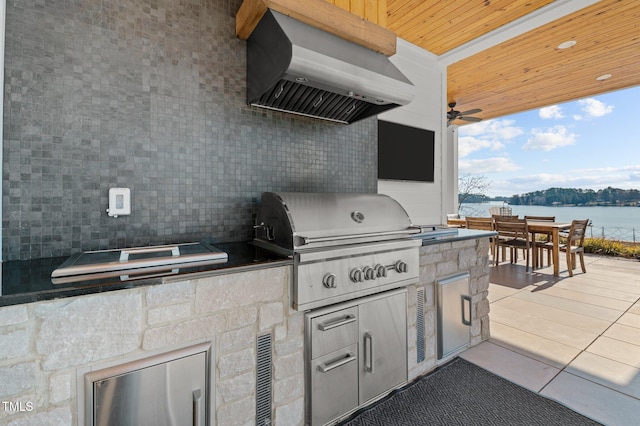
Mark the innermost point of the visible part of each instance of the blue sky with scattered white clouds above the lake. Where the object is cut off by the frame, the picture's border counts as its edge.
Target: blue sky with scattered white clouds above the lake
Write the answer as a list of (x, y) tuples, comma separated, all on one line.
[(590, 143)]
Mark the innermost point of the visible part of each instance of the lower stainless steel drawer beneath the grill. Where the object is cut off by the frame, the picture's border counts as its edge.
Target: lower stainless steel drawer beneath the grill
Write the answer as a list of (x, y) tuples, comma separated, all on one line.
[(334, 385)]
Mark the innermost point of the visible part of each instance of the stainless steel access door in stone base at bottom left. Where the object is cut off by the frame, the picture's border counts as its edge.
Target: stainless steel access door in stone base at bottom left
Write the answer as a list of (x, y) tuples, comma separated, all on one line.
[(173, 393)]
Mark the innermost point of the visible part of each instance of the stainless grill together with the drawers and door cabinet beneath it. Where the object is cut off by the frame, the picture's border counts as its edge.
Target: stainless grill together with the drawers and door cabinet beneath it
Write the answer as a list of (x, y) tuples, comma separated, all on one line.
[(347, 248)]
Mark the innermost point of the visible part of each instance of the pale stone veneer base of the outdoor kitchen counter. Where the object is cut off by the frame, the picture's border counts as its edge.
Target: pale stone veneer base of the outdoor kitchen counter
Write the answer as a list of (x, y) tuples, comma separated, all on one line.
[(45, 347)]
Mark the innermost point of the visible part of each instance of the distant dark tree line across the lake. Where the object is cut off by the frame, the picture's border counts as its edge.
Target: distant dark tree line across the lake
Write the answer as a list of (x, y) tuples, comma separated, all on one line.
[(578, 197)]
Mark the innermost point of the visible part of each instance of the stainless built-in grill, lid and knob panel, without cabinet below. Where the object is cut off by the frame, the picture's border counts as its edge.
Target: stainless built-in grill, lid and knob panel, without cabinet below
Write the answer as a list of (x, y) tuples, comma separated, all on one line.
[(344, 246)]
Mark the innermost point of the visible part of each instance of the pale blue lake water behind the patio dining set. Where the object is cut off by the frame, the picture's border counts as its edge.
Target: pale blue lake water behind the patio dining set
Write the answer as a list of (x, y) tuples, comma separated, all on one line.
[(621, 223)]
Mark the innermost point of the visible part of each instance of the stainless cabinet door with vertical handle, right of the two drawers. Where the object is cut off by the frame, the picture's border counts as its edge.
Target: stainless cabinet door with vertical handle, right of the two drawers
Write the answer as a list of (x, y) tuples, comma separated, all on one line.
[(383, 344)]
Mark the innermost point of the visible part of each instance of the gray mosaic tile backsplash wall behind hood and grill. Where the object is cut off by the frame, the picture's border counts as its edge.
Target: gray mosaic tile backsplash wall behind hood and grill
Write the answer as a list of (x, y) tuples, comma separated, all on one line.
[(149, 95)]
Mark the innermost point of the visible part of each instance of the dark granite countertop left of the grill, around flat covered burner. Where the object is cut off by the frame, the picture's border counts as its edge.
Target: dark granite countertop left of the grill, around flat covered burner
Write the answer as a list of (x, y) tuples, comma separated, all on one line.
[(30, 281)]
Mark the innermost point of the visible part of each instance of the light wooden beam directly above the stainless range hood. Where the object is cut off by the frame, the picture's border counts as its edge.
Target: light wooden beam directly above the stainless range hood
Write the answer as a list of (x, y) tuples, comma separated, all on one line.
[(320, 14)]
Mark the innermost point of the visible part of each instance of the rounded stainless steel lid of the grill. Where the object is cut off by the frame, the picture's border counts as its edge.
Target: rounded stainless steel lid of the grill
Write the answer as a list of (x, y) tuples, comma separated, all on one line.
[(295, 220)]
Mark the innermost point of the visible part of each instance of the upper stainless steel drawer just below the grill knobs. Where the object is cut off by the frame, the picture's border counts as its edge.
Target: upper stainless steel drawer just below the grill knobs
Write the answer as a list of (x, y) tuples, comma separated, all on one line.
[(333, 331)]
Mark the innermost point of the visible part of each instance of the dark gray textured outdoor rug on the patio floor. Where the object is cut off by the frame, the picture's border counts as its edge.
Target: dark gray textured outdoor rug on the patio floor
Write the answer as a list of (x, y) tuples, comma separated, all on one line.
[(461, 393)]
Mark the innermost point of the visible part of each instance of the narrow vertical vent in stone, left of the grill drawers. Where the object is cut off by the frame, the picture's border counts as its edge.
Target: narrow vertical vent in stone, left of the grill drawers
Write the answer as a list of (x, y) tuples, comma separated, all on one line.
[(263, 380)]
